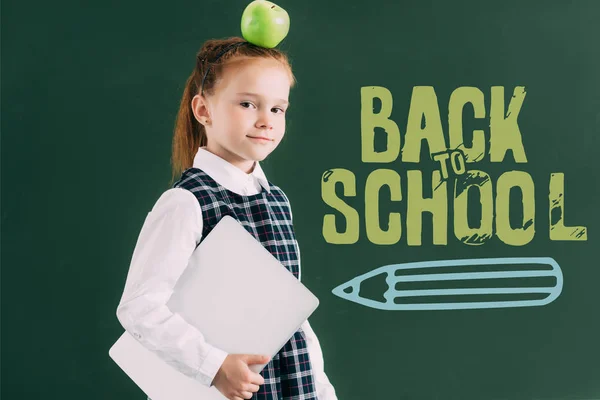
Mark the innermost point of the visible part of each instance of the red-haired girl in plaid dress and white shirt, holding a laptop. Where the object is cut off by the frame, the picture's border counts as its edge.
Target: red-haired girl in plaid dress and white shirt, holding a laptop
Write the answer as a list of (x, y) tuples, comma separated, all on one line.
[(232, 115)]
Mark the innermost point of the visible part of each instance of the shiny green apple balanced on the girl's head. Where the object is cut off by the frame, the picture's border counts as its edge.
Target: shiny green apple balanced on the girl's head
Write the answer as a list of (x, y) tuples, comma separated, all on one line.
[(265, 24)]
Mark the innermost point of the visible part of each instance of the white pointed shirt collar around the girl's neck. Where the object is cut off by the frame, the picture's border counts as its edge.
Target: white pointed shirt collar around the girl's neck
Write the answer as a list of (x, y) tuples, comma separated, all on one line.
[(227, 175)]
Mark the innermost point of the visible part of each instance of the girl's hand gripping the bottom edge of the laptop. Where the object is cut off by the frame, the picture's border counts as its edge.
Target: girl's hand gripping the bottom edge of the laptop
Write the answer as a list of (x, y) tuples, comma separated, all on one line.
[(235, 380)]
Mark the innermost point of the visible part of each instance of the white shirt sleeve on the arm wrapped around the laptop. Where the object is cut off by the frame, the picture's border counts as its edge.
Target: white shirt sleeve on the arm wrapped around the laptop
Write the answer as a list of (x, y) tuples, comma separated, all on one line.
[(166, 241)]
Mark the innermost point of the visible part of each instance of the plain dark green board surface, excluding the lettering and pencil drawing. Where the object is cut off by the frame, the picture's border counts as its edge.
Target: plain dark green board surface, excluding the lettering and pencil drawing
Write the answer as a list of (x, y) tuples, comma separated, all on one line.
[(89, 95)]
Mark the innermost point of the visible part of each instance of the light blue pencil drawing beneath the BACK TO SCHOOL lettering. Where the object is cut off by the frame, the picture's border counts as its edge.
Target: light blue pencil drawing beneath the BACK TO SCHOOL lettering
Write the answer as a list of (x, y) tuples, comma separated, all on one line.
[(460, 284)]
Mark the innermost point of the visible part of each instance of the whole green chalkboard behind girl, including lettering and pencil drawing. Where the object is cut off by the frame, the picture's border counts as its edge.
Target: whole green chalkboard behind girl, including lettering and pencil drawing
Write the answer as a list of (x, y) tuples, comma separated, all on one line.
[(423, 135)]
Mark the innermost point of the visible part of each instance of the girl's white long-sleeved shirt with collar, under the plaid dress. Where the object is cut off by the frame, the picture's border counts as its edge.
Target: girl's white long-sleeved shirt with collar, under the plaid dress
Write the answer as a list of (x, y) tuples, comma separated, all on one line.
[(170, 233)]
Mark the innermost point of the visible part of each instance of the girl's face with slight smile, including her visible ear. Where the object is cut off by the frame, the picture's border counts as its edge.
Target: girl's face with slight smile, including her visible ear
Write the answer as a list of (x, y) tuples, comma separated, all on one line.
[(246, 114)]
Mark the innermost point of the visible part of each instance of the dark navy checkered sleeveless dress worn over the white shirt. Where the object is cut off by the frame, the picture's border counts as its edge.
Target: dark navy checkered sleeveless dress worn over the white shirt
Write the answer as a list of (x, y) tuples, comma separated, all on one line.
[(267, 217)]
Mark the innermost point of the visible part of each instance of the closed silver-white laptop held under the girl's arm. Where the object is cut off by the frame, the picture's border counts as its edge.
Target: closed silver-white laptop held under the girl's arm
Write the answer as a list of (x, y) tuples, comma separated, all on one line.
[(229, 274)]
